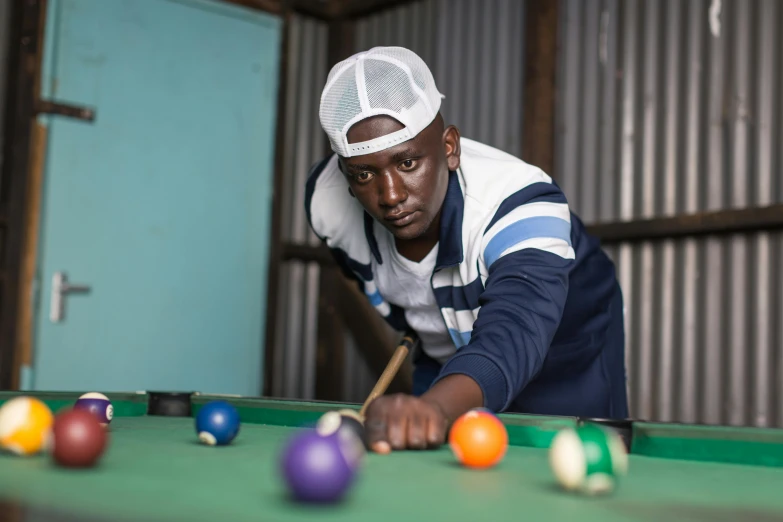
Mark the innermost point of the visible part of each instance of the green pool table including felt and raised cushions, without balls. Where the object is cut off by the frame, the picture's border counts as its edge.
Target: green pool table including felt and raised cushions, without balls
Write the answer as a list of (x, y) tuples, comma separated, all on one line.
[(155, 469)]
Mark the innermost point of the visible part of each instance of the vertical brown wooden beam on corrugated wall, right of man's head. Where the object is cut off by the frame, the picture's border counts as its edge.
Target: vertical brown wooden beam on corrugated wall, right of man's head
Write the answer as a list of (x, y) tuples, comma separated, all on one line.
[(538, 129)]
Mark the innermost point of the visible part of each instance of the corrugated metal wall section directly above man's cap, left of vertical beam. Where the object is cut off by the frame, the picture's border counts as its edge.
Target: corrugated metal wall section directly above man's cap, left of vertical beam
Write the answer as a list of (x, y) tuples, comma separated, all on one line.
[(475, 49)]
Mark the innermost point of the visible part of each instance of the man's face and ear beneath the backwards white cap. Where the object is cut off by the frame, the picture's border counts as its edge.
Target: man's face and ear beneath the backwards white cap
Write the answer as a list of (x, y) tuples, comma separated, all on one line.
[(403, 187)]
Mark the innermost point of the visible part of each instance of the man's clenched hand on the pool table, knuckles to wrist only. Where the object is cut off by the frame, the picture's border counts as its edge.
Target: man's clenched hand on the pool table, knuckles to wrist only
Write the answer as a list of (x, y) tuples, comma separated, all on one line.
[(404, 422)]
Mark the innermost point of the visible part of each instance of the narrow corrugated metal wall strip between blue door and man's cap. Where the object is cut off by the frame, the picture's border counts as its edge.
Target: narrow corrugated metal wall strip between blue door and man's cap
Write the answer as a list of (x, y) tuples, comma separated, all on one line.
[(304, 144)]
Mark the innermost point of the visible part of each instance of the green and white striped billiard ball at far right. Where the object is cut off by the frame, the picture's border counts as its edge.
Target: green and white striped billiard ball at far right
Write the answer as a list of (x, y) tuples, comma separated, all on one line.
[(588, 459)]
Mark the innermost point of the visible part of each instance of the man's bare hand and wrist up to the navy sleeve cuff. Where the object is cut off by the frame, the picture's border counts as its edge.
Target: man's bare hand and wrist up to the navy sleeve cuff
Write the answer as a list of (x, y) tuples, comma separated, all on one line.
[(396, 422)]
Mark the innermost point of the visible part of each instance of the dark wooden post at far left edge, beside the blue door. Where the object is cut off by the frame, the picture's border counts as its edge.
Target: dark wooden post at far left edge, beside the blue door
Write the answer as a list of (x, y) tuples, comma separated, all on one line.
[(24, 64)]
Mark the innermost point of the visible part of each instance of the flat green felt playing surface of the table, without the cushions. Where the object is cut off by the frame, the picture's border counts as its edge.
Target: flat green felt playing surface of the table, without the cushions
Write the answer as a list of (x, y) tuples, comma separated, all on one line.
[(155, 470)]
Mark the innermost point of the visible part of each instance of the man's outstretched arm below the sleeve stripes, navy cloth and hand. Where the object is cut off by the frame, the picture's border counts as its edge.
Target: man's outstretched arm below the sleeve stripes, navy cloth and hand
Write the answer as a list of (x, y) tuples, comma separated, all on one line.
[(521, 309)]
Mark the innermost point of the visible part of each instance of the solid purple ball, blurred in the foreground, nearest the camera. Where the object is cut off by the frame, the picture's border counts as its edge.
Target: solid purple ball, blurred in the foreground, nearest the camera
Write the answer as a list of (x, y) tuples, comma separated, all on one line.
[(315, 468)]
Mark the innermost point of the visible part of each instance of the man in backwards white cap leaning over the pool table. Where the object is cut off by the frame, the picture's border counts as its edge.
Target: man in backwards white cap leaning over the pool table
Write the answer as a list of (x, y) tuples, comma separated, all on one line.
[(517, 308)]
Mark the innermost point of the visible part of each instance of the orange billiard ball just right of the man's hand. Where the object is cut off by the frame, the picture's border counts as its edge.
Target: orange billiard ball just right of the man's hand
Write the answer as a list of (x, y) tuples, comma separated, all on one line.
[(478, 439)]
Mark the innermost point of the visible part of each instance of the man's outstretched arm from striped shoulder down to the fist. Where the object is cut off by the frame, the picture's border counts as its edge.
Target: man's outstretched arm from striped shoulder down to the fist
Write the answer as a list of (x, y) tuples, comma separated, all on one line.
[(527, 256)]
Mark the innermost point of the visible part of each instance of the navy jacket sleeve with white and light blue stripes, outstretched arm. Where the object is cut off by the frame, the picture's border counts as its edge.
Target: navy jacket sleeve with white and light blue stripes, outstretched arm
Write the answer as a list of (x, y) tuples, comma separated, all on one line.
[(526, 257)]
